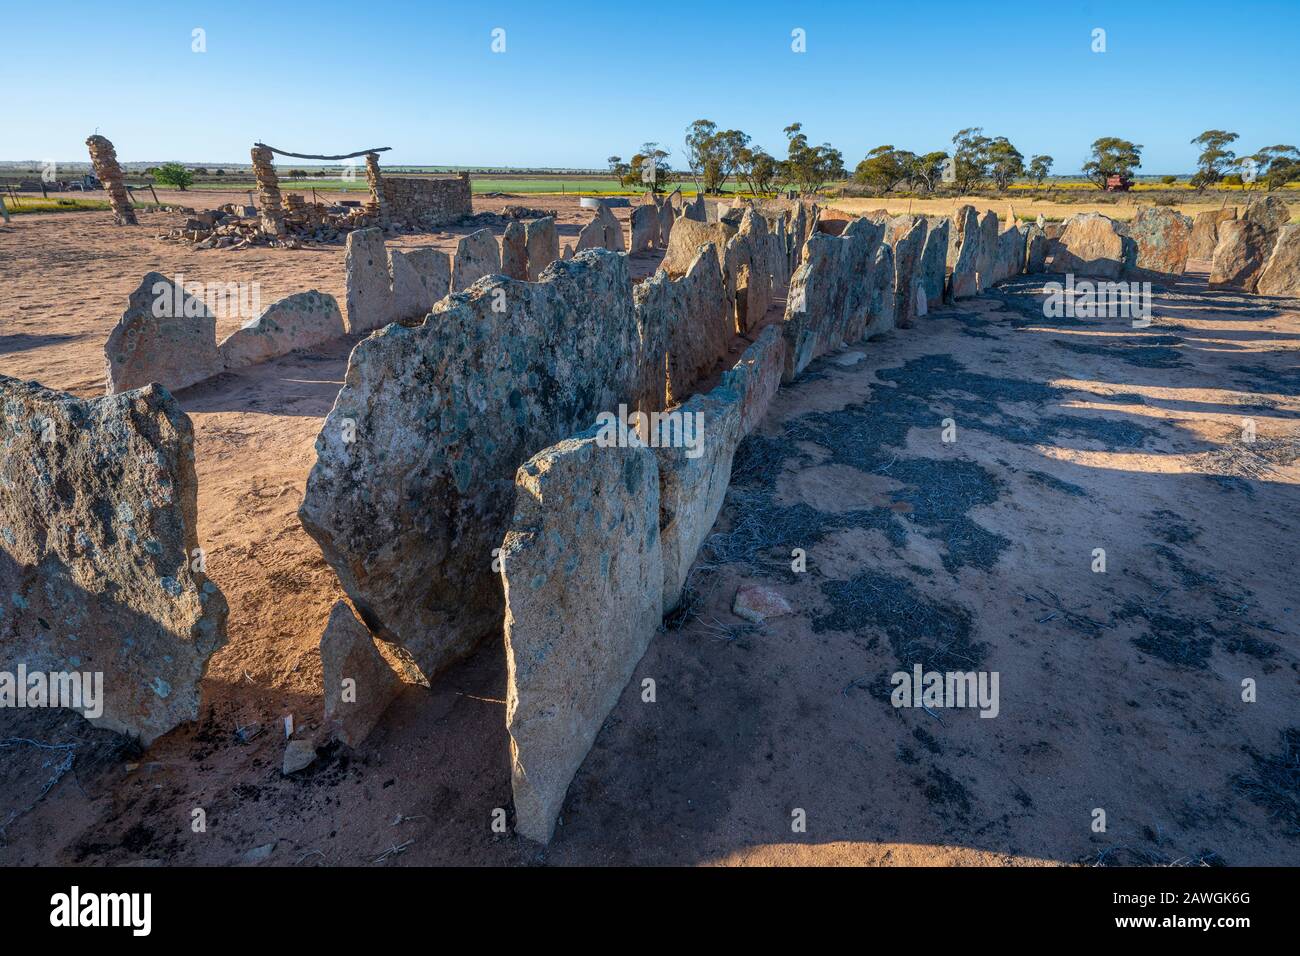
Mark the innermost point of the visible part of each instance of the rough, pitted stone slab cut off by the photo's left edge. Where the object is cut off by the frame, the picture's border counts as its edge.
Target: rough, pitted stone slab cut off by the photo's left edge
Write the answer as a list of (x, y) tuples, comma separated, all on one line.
[(99, 552)]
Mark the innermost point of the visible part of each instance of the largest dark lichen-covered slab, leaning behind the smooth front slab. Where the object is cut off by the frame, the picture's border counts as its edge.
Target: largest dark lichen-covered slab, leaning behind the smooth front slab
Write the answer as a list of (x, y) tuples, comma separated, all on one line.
[(414, 479)]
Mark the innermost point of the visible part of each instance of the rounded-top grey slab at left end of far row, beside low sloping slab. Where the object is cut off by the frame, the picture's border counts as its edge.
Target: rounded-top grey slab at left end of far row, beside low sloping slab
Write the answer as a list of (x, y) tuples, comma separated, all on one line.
[(166, 336)]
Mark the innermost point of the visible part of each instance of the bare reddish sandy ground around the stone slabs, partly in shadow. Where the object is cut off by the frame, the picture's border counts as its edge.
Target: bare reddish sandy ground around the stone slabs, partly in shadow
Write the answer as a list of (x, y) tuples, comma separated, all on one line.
[(1120, 691)]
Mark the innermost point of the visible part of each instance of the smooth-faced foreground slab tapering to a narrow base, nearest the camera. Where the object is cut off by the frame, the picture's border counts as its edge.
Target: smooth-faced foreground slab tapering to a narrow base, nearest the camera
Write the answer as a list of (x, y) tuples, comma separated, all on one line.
[(583, 576)]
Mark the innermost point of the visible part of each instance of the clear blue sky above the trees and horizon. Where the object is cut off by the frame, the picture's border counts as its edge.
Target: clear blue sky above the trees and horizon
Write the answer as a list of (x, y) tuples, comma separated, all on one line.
[(580, 81)]
